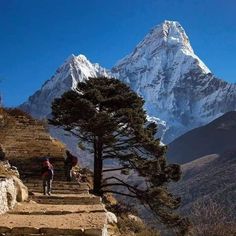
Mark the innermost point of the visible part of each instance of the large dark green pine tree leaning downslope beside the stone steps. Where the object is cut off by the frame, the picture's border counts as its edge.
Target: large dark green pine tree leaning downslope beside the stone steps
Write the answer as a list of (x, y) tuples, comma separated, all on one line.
[(109, 117)]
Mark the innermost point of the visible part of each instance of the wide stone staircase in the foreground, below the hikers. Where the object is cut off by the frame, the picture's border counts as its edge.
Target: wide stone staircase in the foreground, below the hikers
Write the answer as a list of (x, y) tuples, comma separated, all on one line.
[(70, 210)]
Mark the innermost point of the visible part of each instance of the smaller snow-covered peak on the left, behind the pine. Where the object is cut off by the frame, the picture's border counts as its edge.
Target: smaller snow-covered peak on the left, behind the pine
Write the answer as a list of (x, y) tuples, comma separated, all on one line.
[(74, 69)]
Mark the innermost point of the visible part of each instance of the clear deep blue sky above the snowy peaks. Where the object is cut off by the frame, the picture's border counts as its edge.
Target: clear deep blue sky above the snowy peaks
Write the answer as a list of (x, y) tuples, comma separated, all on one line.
[(36, 36)]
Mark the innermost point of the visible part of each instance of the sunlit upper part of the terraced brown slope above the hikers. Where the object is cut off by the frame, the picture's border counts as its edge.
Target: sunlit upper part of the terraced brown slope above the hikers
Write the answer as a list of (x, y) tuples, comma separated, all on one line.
[(24, 138)]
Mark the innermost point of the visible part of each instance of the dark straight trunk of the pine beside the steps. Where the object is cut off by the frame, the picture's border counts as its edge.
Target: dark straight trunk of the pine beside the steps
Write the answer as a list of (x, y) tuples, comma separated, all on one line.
[(98, 165)]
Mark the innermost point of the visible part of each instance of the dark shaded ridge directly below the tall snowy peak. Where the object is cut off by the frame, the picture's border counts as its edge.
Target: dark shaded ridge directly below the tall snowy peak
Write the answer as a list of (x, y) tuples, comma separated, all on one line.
[(214, 138)]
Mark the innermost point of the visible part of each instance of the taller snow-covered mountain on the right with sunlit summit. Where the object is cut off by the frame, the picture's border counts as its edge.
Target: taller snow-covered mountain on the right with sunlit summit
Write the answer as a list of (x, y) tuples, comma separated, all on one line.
[(175, 84)]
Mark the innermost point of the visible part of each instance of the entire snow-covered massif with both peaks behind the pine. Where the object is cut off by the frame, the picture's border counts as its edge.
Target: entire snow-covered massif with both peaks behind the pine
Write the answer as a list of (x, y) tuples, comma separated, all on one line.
[(180, 91)]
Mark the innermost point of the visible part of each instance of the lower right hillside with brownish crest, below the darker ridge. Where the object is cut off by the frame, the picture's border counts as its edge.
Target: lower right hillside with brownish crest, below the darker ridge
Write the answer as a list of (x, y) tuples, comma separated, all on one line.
[(209, 178)]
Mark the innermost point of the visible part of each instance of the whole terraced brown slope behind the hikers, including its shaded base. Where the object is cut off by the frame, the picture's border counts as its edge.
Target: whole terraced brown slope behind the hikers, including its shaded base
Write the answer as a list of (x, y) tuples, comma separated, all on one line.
[(26, 141)]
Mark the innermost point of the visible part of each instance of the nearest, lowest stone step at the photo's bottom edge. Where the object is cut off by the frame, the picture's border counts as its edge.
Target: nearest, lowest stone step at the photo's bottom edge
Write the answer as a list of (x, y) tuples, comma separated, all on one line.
[(84, 224)]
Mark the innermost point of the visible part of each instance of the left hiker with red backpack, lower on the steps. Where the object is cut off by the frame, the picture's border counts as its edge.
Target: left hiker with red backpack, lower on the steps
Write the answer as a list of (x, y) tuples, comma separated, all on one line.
[(47, 175)]
